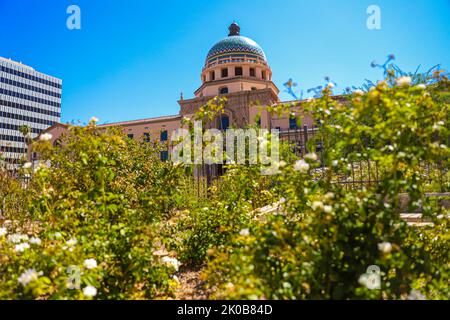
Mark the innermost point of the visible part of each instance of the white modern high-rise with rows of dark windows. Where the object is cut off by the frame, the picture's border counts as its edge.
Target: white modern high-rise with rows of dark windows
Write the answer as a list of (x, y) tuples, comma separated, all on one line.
[(30, 99)]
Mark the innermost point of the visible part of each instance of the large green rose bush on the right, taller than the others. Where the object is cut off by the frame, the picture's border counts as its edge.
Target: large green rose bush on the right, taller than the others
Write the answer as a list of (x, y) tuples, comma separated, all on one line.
[(322, 241)]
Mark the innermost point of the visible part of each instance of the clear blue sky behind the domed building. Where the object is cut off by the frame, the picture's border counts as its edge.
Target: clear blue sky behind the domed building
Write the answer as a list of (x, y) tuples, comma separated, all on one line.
[(131, 59)]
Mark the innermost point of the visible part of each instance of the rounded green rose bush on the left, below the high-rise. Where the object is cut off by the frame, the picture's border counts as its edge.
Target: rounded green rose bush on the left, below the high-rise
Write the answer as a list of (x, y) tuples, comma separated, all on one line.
[(100, 199)]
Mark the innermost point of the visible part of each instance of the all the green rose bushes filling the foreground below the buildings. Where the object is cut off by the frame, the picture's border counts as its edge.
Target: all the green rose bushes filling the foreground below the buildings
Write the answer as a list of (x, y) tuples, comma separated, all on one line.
[(99, 208)]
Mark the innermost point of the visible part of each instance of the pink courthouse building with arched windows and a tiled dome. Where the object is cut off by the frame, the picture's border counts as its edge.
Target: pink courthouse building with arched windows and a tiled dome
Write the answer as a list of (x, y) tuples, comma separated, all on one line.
[(235, 67)]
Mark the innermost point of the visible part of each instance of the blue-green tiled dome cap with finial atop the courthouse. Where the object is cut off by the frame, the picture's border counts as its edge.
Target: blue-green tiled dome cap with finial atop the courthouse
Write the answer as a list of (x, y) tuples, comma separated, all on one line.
[(235, 43)]
